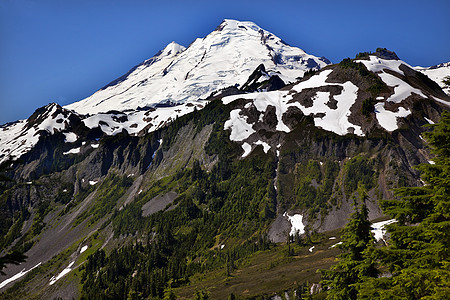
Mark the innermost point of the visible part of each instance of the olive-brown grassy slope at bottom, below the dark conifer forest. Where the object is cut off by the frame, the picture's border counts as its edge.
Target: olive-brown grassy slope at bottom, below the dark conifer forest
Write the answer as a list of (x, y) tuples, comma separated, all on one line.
[(267, 272)]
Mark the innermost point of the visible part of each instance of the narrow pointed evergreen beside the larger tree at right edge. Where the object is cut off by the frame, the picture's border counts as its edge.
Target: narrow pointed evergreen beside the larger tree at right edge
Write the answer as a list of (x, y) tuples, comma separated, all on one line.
[(355, 265)]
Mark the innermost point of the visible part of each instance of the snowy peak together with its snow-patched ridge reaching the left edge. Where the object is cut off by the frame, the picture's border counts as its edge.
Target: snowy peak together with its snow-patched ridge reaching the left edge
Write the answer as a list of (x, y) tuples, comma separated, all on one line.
[(175, 81)]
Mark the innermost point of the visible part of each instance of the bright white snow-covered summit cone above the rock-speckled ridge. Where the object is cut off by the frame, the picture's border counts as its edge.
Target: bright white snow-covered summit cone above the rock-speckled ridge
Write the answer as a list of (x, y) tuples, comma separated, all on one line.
[(225, 57)]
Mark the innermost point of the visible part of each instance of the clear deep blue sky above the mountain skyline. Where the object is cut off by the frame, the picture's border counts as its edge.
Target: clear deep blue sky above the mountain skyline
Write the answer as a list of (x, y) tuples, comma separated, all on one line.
[(63, 51)]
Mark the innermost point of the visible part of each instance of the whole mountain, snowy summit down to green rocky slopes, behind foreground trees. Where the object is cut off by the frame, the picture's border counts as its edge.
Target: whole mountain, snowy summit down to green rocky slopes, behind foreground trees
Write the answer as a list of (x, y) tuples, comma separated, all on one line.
[(238, 190)]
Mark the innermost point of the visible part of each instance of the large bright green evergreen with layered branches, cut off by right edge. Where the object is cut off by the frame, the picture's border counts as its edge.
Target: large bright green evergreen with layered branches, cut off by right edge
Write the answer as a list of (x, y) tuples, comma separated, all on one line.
[(418, 255)]
